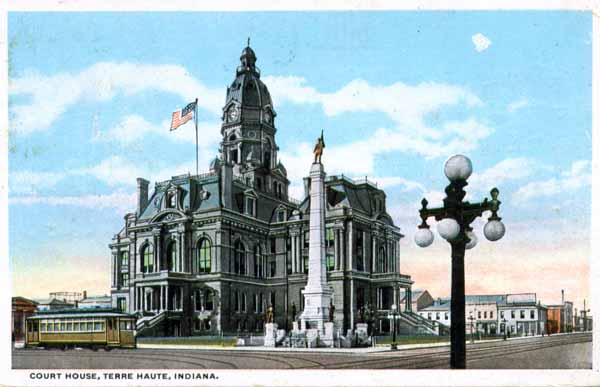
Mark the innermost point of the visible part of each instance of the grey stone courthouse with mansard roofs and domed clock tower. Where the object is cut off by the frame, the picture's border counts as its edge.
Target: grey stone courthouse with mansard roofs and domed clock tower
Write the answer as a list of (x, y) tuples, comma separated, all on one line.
[(207, 254)]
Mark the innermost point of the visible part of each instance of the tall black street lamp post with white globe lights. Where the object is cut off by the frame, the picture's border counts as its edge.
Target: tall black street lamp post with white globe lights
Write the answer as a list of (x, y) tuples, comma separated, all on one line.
[(455, 218)]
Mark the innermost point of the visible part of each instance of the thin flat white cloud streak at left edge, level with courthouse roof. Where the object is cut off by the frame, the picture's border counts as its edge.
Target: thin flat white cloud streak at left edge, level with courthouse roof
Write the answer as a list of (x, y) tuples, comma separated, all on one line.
[(123, 202)]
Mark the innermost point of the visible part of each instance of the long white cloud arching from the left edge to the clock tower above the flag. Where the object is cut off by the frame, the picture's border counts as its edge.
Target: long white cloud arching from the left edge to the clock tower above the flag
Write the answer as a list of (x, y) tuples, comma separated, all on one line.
[(51, 96)]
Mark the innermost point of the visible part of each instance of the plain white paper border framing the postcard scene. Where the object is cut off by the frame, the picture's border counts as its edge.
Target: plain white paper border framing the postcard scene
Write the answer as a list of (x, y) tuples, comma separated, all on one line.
[(313, 377)]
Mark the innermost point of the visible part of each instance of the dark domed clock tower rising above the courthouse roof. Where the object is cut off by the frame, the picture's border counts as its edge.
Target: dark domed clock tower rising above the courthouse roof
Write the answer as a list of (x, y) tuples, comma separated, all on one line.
[(248, 130)]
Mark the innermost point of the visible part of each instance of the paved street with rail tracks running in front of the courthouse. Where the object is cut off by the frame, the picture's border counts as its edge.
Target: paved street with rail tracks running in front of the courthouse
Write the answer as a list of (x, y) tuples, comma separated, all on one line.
[(560, 351)]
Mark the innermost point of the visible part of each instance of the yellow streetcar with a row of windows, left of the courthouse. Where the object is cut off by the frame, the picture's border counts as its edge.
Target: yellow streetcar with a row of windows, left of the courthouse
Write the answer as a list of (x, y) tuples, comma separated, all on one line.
[(94, 328)]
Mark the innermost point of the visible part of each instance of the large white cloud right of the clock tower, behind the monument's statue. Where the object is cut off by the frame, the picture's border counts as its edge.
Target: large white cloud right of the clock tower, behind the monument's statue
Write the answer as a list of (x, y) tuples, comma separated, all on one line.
[(407, 106)]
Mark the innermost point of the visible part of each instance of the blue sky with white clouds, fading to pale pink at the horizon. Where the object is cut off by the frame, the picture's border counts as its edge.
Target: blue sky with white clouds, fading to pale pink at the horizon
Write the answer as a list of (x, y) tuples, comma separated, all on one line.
[(396, 93)]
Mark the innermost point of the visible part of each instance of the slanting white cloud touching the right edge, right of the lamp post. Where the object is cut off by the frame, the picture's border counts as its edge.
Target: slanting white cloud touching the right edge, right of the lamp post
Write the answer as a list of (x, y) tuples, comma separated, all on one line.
[(577, 177)]
